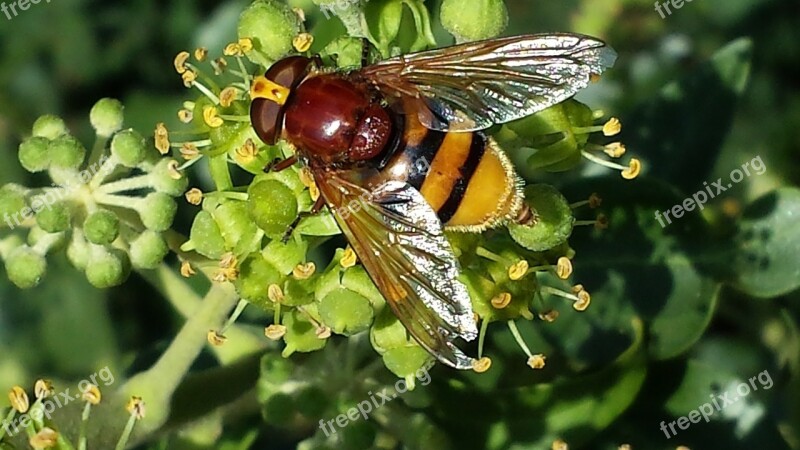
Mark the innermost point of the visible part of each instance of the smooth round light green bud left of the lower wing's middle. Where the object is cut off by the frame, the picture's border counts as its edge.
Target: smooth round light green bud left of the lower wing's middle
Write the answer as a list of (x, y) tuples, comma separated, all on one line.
[(346, 312)]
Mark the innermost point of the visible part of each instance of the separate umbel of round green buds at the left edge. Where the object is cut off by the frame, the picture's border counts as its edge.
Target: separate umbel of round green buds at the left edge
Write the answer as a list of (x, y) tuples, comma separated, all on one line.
[(107, 209)]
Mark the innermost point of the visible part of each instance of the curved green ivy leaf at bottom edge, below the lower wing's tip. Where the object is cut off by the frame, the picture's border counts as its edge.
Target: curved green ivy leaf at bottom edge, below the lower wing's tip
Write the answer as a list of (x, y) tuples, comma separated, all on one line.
[(533, 416)]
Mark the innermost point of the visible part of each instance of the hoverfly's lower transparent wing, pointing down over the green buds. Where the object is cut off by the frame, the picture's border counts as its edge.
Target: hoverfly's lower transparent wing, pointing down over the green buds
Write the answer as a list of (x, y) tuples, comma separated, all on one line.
[(399, 240)]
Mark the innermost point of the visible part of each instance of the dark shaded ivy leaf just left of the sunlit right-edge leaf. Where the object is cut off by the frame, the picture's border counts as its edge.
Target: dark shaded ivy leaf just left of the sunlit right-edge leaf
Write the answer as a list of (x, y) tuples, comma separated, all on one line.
[(652, 268)]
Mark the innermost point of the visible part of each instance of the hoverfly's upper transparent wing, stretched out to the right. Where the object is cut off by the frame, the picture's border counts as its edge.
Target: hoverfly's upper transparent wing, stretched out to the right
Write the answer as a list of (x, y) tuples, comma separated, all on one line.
[(473, 86)]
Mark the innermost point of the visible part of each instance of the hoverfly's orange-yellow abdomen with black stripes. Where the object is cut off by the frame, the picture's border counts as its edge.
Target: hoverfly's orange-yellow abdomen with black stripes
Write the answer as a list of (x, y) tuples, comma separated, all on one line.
[(464, 176)]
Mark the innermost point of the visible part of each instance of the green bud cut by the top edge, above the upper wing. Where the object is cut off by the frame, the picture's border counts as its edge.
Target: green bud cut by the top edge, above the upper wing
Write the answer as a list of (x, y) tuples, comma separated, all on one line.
[(474, 20)]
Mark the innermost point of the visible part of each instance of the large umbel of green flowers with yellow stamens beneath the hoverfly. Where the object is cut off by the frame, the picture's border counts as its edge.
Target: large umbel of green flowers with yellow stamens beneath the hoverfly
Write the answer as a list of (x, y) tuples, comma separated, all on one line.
[(508, 272)]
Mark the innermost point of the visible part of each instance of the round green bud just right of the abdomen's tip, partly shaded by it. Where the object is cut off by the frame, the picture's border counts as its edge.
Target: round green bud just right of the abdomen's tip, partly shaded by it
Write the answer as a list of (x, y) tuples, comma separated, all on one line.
[(554, 224)]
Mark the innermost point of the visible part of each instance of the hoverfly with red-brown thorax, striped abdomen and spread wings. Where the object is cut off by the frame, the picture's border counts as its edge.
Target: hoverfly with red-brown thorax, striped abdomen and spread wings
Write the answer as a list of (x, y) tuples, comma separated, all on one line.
[(363, 134)]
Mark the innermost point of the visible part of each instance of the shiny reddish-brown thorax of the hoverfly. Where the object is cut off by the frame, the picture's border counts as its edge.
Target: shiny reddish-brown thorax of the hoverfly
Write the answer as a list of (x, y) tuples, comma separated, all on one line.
[(332, 119)]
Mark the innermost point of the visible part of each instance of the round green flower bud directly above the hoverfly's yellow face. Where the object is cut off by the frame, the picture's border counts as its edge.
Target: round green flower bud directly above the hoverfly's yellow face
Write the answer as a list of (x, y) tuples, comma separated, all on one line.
[(272, 26)]
